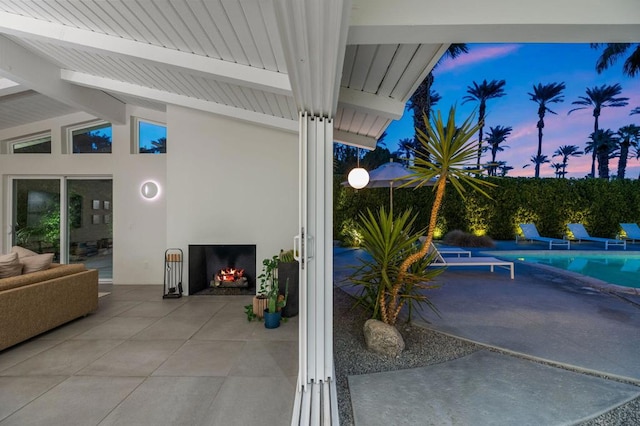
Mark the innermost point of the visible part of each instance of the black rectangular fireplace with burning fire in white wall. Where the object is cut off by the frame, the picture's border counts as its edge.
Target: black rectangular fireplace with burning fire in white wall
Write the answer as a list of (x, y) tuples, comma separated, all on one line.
[(222, 269)]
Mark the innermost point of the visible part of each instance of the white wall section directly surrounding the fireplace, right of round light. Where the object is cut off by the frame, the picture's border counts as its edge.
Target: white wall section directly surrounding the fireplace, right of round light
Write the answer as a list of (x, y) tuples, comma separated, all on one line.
[(230, 182)]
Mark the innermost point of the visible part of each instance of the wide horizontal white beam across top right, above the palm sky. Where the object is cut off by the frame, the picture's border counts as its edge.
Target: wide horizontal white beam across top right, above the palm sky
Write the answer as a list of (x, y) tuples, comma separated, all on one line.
[(472, 21)]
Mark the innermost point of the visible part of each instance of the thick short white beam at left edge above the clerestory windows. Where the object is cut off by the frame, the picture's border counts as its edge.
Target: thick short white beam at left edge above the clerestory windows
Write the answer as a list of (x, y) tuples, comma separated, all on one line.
[(27, 69)]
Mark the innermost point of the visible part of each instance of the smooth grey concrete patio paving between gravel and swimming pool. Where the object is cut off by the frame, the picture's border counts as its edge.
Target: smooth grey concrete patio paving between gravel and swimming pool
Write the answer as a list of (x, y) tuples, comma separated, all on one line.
[(588, 340)]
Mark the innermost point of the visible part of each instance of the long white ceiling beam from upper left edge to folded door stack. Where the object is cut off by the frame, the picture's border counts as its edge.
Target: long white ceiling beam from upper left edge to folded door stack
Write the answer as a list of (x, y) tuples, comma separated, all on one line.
[(225, 71)]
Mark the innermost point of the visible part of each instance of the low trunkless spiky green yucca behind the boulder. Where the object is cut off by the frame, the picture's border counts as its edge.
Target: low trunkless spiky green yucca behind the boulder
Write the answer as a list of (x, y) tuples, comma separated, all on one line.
[(389, 240)]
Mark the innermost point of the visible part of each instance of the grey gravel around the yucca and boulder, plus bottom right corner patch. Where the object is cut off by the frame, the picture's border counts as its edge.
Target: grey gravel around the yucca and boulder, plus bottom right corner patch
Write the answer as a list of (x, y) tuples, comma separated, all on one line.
[(422, 347)]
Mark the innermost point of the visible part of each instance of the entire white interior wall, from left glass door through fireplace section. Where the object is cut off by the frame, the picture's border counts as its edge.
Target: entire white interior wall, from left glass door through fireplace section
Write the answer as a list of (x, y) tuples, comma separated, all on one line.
[(223, 182)]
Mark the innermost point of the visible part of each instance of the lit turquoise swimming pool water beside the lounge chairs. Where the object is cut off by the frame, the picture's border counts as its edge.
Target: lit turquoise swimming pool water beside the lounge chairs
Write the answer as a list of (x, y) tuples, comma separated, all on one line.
[(617, 268)]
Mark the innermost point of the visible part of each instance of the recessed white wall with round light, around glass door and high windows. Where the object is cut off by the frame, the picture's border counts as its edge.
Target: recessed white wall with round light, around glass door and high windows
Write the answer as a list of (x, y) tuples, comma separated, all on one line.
[(138, 226)]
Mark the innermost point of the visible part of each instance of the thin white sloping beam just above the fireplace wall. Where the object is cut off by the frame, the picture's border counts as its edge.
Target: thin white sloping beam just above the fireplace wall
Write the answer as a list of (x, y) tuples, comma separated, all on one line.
[(115, 86)]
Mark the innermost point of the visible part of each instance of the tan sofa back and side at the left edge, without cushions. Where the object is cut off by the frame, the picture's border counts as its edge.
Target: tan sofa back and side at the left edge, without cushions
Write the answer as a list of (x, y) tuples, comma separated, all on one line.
[(33, 303)]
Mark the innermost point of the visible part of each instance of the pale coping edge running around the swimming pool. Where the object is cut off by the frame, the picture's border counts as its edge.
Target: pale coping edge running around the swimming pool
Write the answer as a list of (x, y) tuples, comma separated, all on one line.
[(589, 281)]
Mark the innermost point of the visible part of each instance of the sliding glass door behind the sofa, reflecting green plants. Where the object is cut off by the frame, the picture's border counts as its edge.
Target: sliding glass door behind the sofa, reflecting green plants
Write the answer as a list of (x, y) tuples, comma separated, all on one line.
[(71, 217)]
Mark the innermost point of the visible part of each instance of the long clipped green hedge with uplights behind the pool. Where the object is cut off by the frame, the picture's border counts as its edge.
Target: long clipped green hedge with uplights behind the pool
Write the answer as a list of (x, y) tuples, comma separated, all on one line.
[(549, 203)]
